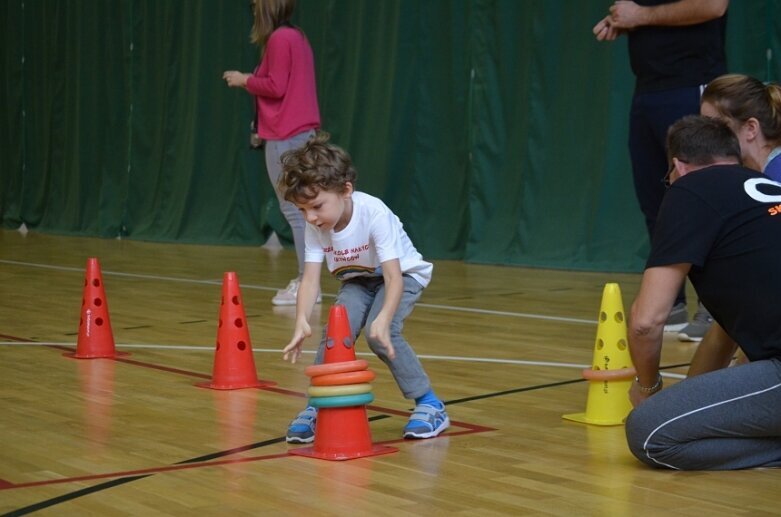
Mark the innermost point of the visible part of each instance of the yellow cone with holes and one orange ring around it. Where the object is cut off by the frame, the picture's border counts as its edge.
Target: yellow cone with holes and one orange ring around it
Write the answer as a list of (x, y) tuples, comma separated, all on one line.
[(612, 372)]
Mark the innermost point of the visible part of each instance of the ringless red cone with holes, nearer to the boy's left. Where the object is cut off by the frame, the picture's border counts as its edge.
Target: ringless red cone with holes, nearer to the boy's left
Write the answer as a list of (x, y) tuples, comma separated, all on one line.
[(234, 365)]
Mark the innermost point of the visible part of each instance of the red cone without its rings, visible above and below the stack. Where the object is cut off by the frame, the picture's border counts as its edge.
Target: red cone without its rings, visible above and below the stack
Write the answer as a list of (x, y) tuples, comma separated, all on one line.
[(341, 433)]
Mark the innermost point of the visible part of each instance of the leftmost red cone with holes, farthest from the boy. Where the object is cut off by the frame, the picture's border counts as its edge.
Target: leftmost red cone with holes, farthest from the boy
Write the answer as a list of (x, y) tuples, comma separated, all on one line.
[(95, 337)]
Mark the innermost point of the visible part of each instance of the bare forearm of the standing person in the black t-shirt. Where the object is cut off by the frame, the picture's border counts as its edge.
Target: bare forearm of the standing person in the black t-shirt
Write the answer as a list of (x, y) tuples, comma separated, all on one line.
[(627, 15)]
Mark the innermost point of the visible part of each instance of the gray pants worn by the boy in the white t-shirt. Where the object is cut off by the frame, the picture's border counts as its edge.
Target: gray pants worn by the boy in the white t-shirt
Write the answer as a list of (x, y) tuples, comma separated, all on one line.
[(363, 298)]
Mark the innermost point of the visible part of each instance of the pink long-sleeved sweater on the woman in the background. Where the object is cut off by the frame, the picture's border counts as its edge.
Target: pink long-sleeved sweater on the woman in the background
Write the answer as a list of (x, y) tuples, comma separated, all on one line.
[(284, 86)]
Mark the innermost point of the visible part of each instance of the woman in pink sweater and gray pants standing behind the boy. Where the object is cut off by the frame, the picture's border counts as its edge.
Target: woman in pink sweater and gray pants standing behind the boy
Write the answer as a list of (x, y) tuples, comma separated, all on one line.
[(283, 85)]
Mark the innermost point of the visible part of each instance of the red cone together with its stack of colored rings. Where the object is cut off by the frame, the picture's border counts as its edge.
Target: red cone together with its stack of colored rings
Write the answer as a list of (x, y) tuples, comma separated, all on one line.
[(342, 428)]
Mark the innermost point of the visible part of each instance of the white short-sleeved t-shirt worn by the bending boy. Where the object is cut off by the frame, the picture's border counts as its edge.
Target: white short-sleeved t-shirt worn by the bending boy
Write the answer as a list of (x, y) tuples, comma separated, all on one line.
[(374, 235)]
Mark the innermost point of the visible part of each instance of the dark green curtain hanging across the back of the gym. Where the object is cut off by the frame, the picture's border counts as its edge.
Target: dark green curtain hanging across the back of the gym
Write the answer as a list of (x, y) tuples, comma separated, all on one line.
[(496, 130)]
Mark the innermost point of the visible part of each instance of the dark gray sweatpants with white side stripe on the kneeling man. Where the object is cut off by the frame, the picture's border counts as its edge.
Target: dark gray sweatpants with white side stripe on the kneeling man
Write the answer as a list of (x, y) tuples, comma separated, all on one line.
[(722, 420)]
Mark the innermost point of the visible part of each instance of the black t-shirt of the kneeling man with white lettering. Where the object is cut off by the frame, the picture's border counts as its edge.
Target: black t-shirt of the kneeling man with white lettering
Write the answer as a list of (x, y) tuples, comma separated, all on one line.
[(725, 220)]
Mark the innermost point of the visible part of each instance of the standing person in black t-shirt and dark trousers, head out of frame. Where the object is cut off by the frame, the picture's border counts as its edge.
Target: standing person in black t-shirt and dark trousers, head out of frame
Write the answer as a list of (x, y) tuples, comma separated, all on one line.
[(675, 48)]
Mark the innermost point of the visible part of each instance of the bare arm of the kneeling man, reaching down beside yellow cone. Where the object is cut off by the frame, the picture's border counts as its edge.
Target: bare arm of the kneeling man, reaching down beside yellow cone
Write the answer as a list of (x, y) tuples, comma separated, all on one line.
[(658, 289)]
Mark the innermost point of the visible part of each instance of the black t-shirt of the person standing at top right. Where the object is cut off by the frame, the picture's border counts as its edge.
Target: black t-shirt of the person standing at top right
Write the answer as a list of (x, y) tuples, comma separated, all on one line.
[(666, 58)]
